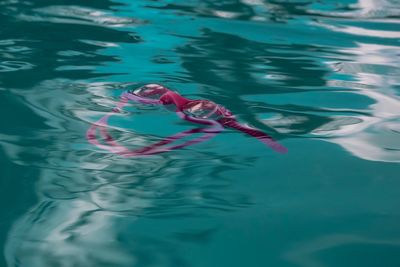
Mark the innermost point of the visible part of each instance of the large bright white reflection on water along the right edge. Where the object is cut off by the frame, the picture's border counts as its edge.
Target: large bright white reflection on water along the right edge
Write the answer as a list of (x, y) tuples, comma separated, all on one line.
[(373, 137)]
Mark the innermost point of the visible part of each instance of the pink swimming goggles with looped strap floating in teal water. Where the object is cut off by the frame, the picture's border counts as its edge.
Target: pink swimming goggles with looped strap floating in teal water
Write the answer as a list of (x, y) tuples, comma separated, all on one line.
[(203, 112)]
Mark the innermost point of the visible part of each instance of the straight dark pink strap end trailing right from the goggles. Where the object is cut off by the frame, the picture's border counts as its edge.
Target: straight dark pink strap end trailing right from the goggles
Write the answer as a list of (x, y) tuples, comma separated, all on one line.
[(263, 137)]
